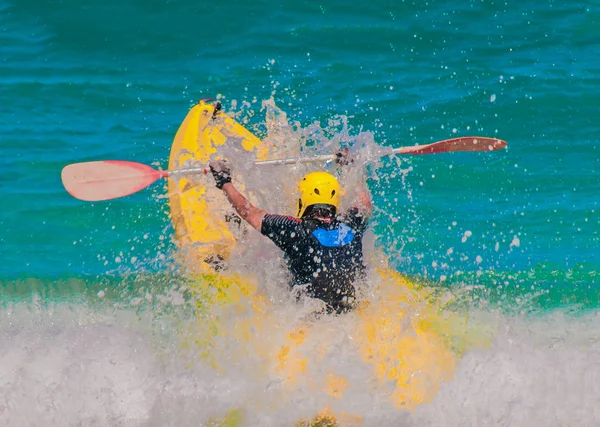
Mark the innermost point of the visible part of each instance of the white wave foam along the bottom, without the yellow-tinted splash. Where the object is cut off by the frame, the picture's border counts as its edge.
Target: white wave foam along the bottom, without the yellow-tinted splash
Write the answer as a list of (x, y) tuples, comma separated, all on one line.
[(76, 366)]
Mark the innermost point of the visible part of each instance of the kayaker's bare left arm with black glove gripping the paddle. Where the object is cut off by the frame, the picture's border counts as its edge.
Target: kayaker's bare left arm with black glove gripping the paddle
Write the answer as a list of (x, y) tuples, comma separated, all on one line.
[(222, 173)]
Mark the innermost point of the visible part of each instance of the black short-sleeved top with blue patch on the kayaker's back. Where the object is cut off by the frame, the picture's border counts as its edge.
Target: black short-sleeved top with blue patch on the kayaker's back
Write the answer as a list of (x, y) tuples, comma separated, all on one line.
[(328, 257)]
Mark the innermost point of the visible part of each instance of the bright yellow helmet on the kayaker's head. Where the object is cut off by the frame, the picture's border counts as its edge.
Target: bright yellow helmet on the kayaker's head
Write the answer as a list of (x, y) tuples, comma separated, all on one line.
[(318, 188)]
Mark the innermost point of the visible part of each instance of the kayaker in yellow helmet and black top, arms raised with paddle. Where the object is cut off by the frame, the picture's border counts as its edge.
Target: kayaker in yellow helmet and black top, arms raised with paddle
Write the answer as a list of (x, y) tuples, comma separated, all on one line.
[(322, 247)]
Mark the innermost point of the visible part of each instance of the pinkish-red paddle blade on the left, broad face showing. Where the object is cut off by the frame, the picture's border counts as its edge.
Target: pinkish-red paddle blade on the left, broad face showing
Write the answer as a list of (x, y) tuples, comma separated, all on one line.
[(107, 179)]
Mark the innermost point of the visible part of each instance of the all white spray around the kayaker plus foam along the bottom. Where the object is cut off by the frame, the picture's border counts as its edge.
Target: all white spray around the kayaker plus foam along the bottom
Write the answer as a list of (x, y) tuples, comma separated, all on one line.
[(235, 349)]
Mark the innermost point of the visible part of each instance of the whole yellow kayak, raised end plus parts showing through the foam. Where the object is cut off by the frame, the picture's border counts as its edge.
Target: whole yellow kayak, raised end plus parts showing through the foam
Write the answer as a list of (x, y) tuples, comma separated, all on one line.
[(403, 334)]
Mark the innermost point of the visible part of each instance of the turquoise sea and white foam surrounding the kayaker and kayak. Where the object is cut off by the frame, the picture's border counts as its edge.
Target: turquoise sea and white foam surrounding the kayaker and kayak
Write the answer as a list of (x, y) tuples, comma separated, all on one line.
[(89, 295)]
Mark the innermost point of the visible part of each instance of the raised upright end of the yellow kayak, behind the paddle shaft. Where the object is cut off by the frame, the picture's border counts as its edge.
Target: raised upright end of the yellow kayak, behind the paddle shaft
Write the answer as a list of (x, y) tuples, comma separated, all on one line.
[(204, 233)]
